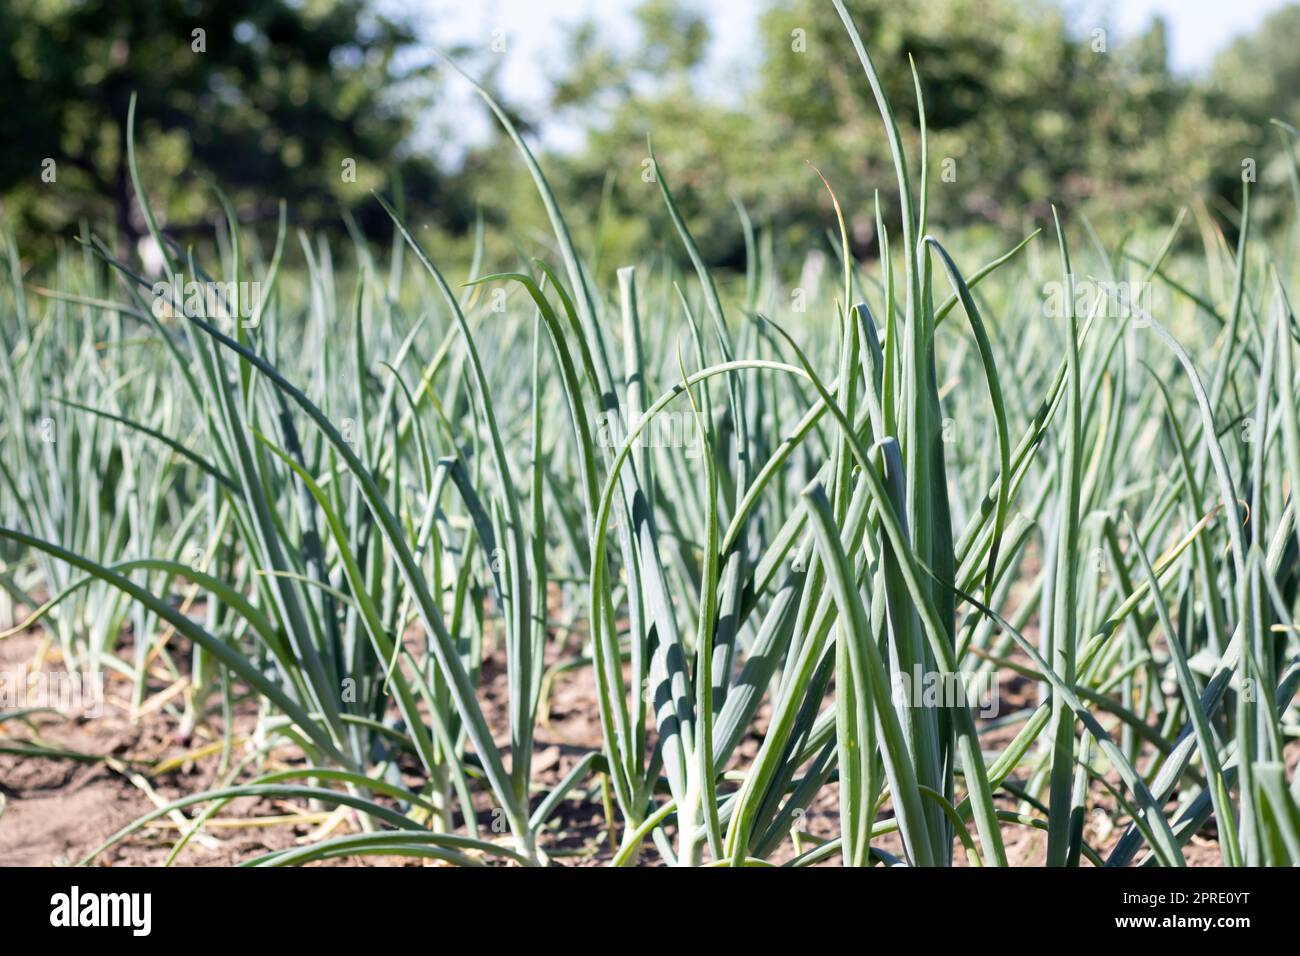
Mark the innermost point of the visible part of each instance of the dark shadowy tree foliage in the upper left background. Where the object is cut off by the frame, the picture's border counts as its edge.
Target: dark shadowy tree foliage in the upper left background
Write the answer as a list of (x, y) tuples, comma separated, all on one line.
[(267, 97)]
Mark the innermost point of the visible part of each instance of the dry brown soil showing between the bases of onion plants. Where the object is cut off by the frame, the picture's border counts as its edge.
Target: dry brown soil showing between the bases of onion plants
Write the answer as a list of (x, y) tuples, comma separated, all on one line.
[(58, 811)]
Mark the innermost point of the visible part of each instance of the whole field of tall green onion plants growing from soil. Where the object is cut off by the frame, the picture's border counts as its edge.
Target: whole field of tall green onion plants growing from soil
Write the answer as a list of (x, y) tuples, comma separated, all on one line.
[(357, 495)]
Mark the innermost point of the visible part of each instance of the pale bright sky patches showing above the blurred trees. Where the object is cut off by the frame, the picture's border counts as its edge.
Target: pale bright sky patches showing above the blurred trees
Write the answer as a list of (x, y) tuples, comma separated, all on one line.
[(534, 33)]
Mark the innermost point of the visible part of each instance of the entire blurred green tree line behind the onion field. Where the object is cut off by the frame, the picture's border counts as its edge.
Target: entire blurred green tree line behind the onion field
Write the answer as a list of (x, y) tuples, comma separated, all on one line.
[(1025, 106)]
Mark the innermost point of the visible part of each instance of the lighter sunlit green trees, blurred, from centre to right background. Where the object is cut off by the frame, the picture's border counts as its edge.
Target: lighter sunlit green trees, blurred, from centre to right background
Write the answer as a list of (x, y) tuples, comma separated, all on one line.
[(1025, 107)]
